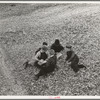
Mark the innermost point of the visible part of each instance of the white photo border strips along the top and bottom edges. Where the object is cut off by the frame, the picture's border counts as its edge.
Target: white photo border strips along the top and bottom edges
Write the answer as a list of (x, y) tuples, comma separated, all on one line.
[(50, 97)]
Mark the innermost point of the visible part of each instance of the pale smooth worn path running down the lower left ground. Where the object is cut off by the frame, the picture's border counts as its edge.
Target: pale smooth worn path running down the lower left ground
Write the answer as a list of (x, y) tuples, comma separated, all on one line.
[(6, 68)]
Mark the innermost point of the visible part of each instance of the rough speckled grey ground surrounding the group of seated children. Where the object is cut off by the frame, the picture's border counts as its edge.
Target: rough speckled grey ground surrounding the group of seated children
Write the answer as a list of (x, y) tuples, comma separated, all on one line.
[(23, 28)]
